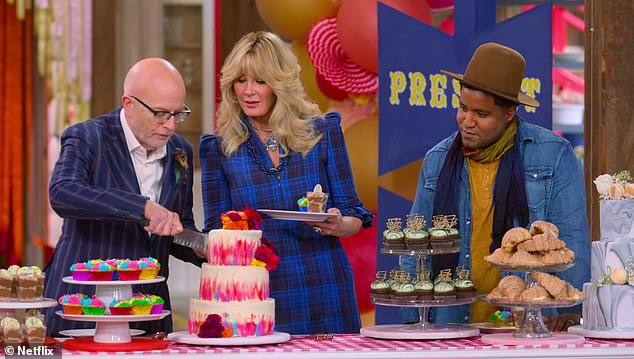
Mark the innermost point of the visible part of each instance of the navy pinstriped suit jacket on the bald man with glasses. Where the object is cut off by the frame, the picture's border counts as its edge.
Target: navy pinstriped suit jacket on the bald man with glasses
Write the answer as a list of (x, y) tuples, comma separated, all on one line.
[(94, 188)]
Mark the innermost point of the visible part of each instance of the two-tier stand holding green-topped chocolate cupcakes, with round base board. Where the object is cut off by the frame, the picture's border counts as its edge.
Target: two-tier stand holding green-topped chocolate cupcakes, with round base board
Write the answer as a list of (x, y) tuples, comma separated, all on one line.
[(423, 329)]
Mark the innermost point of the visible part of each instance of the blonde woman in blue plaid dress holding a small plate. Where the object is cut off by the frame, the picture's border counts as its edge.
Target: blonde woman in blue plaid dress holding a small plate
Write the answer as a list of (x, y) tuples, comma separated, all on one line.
[(273, 146)]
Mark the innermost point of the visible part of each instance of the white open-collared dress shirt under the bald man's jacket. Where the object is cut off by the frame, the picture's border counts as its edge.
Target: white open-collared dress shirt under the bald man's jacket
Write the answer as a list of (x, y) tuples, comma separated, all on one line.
[(148, 168)]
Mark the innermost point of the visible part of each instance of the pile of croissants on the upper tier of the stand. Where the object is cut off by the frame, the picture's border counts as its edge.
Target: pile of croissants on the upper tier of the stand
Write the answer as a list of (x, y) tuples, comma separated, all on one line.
[(537, 247)]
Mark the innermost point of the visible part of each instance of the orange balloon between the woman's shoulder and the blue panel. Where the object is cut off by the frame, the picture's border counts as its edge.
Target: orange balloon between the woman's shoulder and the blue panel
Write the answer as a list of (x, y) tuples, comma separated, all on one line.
[(362, 141)]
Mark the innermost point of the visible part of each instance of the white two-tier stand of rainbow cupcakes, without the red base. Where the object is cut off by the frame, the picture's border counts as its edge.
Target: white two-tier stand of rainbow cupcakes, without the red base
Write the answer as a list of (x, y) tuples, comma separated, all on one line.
[(113, 328)]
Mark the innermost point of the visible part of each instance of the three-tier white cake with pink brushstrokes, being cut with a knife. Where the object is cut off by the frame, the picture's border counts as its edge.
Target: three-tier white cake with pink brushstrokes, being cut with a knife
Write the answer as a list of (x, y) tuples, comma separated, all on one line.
[(233, 288)]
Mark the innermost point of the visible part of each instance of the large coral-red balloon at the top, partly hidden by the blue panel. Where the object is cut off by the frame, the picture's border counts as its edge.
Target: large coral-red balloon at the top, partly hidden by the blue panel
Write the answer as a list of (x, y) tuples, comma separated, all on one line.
[(358, 29)]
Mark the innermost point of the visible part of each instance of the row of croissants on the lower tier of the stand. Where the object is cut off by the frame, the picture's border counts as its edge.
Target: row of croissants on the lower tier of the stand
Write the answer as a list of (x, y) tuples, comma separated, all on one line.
[(545, 287)]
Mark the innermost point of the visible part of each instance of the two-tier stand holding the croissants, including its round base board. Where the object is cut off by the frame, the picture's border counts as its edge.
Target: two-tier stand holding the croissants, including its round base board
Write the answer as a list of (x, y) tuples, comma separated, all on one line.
[(532, 327)]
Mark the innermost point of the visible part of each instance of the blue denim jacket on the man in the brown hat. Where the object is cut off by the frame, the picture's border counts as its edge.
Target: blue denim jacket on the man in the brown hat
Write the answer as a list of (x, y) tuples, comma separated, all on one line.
[(555, 193)]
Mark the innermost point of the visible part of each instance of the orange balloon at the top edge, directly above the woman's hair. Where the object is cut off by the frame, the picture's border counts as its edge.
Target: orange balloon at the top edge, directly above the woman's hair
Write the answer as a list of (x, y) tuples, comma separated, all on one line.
[(293, 19)]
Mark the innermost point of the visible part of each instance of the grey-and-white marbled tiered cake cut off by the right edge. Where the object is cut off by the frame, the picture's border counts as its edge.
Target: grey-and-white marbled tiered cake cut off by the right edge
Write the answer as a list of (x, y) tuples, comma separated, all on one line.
[(610, 307)]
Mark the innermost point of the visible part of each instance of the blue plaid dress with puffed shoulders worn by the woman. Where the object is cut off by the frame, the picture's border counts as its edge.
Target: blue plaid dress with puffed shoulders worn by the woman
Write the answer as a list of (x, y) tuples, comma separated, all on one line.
[(313, 283)]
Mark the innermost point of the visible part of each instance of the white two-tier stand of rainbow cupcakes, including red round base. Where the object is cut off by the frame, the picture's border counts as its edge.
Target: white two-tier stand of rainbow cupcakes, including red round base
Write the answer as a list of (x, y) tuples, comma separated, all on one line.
[(112, 332)]
